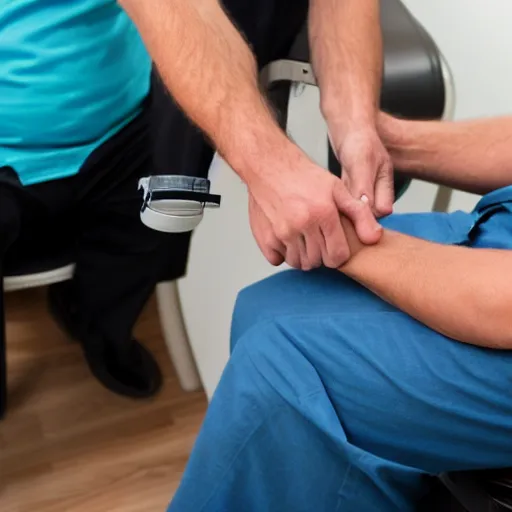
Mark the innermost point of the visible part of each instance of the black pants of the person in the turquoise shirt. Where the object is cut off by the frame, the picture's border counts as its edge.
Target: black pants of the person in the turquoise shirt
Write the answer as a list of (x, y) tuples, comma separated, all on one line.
[(93, 219)]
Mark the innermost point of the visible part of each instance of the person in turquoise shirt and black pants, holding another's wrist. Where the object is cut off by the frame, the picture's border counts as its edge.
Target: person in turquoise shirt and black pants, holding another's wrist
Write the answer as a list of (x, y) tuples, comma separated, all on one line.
[(80, 126)]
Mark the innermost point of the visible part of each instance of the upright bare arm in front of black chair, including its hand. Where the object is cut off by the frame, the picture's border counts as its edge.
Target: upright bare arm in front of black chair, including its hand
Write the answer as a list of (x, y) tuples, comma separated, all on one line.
[(346, 46)]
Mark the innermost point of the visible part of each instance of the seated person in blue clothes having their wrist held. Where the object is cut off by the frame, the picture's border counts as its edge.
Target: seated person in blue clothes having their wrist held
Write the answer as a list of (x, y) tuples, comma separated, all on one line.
[(346, 389)]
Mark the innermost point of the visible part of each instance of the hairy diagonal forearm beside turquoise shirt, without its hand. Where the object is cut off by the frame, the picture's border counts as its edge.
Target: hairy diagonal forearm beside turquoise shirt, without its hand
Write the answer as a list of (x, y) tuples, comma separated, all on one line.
[(212, 75)]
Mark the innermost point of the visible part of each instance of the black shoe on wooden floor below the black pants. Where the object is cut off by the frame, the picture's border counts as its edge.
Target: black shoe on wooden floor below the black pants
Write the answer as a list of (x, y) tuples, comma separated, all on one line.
[(129, 370)]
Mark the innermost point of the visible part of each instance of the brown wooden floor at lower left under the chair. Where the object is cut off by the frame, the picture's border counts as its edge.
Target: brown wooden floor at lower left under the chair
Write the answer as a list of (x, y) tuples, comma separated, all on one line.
[(68, 445)]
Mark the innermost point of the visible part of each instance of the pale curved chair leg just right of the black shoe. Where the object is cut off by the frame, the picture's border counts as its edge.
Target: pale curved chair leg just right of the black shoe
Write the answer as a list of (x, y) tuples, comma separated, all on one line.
[(175, 335)]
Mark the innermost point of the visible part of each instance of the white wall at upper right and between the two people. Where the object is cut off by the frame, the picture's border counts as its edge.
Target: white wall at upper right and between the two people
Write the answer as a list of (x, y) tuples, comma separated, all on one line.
[(474, 36)]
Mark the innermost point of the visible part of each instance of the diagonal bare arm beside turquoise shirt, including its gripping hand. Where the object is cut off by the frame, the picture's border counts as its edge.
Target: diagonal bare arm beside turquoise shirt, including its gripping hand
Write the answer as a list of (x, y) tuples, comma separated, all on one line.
[(212, 74)]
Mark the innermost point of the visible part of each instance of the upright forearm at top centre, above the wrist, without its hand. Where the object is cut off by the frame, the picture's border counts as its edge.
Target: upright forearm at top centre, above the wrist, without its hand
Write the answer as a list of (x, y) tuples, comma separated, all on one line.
[(346, 45)]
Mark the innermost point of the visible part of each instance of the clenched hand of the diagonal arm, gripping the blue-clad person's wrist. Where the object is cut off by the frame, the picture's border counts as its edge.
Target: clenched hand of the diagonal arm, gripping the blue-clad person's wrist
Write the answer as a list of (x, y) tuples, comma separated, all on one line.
[(296, 218)]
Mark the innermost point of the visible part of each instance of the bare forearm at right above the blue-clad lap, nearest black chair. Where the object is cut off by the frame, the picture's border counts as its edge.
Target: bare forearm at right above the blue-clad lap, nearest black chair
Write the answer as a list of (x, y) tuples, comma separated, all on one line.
[(475, 156)]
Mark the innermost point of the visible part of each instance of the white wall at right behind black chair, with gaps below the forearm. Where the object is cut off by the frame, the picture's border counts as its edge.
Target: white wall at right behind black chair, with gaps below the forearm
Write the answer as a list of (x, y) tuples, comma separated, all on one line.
[(476, 40)]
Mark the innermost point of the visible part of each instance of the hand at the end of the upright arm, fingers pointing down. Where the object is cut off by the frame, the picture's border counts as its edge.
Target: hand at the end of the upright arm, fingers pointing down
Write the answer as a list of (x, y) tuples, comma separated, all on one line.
[(367, 168)]
